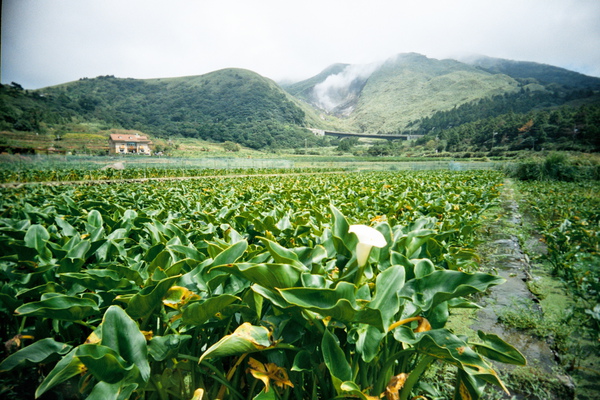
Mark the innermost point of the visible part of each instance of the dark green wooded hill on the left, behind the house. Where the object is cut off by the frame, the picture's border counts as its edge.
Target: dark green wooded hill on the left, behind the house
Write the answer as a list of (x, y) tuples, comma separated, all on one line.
[(229, 104)]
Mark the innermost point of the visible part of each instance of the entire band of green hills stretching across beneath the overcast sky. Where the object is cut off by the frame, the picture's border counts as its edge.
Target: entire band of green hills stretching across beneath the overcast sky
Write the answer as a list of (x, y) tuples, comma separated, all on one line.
[(479, 105)]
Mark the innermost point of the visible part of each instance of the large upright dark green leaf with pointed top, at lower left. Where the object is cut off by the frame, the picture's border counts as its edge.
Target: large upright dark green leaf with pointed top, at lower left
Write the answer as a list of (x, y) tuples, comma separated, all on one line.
[(121, 333)]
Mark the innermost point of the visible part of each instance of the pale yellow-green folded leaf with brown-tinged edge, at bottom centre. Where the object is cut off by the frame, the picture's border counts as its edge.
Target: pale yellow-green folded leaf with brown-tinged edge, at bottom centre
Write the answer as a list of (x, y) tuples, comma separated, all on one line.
[(246, 338)]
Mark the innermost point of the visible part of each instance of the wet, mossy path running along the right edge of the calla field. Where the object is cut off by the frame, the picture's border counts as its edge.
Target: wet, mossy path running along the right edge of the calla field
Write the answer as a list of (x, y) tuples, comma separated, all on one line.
[(503, 254)]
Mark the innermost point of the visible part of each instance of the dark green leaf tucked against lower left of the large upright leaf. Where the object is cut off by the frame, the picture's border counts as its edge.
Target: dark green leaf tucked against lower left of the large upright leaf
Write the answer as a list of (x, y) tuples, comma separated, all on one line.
[(103, 362)]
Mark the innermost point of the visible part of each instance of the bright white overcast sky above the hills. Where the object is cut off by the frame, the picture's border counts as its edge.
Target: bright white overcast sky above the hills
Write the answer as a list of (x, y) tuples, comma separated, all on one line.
[(47, 42)]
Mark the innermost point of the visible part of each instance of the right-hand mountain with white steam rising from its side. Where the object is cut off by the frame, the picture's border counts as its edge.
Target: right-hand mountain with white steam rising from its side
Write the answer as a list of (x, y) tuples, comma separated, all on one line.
[(395, 95)]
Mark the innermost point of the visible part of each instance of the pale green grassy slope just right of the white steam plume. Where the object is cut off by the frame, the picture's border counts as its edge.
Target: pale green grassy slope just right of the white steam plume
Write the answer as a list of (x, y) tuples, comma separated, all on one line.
[(412, 86)]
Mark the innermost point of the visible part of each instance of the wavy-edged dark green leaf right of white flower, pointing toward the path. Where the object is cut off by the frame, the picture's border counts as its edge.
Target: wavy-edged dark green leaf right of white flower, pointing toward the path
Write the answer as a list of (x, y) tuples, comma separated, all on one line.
[(439, 286)]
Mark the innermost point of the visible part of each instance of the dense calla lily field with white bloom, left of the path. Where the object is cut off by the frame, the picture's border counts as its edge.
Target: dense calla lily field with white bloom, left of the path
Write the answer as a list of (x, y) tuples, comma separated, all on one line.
[(283, 287)]
